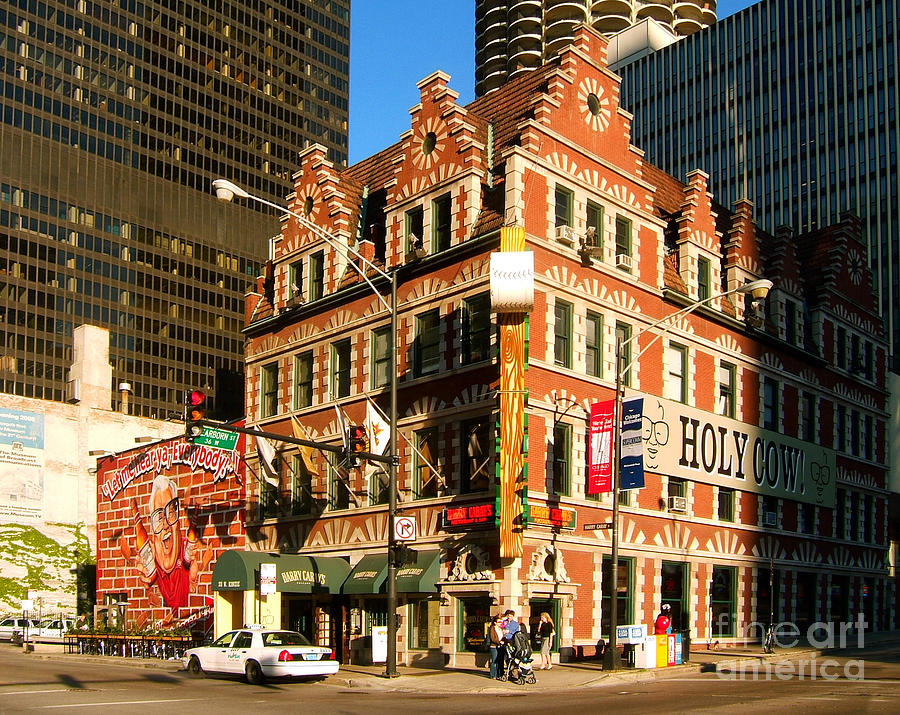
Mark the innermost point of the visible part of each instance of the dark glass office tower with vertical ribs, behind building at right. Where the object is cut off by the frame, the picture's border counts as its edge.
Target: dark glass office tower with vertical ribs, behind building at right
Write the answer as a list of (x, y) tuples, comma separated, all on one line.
[(793, 104)]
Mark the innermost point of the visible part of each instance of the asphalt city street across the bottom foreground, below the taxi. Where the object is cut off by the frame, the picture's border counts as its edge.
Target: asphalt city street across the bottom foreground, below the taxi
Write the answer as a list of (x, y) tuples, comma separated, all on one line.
[(30, 683)]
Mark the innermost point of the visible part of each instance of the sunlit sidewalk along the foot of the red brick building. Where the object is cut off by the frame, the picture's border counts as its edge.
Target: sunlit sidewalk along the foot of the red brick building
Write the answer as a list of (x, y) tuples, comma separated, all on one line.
[(565, 676)]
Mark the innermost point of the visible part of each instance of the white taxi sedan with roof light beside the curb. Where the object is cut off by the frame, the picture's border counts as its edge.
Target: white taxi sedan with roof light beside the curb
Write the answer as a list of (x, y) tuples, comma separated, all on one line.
[(260, 653)]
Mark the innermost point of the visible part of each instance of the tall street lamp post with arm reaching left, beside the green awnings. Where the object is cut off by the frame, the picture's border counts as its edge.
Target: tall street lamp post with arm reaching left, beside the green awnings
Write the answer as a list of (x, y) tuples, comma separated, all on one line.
[(226, 191)]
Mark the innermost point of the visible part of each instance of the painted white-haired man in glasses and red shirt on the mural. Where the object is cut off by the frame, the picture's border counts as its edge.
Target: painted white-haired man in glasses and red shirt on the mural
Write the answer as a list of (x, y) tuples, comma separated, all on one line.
[(177, 558)]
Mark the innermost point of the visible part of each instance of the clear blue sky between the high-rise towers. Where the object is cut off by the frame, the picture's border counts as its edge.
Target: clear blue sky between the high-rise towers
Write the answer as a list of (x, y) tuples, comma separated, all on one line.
[(395, 43)]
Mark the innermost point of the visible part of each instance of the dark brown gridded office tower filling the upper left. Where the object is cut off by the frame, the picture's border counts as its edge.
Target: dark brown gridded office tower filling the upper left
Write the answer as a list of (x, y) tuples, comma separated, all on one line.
[(114, 119)]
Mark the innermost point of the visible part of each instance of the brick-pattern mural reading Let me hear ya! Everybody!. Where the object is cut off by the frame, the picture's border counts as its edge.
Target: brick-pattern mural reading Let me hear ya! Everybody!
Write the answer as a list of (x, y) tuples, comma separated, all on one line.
[(164, 514)]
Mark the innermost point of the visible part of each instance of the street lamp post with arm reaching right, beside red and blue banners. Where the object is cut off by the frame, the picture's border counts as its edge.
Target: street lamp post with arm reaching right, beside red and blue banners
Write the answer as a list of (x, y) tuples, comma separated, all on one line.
[(759, 289)]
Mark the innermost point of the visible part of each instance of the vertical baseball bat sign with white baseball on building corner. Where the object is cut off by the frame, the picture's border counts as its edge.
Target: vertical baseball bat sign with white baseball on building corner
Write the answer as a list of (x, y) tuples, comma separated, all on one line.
[(512, 296)]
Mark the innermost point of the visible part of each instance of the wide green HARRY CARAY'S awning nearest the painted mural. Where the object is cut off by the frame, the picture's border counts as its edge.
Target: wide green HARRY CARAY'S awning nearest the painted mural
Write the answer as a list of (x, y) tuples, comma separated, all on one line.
[(295, 573)]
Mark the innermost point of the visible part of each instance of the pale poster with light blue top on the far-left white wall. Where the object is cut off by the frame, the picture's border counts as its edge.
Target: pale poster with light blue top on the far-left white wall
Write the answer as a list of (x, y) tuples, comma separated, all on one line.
[(21, 465)]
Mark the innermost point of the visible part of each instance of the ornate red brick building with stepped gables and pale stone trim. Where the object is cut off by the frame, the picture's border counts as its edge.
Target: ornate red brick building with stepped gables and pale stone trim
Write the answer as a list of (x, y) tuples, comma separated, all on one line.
[(545, 162)]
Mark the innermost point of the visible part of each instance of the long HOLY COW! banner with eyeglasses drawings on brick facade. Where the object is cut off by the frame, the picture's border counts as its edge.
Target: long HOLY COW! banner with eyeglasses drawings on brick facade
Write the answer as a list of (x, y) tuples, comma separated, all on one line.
[(683, 441)]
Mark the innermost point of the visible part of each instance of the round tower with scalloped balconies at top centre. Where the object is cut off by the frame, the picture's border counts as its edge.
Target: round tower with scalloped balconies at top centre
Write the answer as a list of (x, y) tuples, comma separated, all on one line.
[(513, 36)]
